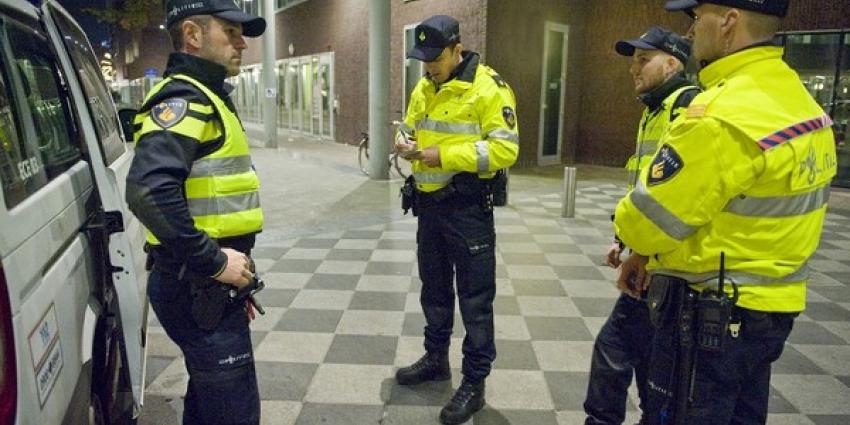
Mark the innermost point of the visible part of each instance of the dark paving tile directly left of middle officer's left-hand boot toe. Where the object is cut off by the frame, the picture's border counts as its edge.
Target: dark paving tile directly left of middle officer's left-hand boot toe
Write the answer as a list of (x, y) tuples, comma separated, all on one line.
[(362, 349)]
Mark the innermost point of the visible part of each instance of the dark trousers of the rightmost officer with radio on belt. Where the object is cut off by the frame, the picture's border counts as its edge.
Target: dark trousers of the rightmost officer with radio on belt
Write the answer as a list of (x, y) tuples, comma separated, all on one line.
[(729, 387)]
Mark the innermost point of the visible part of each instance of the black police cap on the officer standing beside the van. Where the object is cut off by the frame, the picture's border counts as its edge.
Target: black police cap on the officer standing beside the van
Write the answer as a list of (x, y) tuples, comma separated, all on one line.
[(177, 10)]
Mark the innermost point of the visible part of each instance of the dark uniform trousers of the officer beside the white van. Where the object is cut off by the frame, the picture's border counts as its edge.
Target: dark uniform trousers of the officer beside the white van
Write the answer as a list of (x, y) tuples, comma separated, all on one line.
[(222, 379)]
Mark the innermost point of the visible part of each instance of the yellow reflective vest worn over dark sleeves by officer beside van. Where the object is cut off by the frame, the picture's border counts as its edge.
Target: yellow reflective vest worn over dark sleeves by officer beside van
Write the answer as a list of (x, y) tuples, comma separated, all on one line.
[(222, 191)]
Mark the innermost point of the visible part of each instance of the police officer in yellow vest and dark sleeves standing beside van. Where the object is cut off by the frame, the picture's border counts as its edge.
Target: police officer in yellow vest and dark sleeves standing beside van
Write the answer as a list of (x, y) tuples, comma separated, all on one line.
[(192, 185)]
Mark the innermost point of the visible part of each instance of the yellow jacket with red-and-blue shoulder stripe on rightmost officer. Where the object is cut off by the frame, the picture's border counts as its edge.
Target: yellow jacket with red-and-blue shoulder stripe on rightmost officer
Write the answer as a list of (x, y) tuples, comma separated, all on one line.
[(746, 171)]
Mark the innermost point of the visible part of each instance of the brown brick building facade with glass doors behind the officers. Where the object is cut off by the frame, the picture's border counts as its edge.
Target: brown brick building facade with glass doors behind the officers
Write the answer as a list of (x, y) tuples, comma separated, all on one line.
[(575, 99)]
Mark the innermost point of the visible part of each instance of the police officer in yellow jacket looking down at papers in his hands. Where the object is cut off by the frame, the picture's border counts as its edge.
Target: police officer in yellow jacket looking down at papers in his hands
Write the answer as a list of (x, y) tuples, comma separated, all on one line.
[(462, 117)]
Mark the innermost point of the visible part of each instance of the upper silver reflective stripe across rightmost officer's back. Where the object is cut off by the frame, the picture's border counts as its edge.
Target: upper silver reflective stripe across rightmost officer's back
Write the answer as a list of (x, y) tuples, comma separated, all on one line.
[(779, 206)]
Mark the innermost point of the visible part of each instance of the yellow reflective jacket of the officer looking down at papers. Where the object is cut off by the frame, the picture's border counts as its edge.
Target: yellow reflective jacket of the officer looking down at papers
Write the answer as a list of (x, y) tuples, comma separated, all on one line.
[(471, 118)]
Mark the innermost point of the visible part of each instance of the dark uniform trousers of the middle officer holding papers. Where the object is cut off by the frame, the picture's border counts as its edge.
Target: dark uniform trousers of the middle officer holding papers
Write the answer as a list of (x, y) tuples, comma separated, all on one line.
[(457, 239)]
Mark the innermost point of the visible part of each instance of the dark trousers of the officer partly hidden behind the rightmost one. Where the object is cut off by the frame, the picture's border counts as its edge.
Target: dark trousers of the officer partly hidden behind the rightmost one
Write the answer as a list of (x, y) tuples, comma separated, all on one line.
[(623, 346)]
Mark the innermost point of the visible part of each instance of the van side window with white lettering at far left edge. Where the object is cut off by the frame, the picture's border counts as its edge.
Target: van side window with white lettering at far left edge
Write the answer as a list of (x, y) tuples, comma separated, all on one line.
[(40, 103)]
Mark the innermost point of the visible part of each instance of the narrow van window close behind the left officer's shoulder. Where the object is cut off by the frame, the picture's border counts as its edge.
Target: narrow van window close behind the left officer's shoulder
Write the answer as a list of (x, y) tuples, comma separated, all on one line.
[(99, 99)]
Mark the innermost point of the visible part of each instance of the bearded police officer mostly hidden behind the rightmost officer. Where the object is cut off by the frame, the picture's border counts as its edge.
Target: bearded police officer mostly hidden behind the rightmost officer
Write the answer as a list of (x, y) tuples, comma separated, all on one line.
[(624, 343)]
